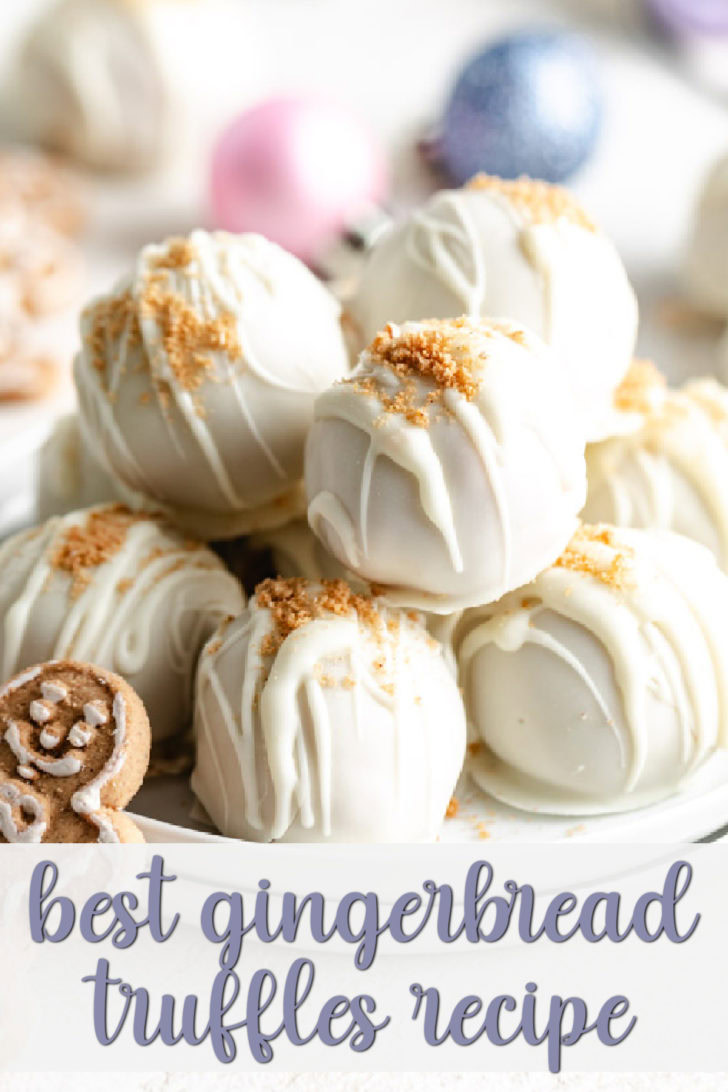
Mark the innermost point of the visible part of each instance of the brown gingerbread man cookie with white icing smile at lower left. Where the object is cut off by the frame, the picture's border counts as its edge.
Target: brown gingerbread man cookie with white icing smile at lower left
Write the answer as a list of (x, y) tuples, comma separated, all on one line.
[(75, 745)]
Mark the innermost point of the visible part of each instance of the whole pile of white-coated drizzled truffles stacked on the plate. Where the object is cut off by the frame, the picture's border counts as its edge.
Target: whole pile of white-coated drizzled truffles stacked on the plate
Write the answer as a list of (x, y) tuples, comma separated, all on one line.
[(434, 491)]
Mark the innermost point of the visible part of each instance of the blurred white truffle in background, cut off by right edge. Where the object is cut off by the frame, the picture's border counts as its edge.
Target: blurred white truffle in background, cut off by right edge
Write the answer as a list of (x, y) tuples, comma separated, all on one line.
[(706, 271)]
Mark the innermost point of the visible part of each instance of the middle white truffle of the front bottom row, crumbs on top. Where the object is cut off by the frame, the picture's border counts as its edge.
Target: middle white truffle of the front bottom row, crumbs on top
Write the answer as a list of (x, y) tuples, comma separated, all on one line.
[(321, 716)]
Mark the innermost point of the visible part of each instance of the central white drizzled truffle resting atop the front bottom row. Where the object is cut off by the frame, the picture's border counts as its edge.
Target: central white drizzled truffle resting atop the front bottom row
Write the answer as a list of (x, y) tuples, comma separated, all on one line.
[(450, 468)]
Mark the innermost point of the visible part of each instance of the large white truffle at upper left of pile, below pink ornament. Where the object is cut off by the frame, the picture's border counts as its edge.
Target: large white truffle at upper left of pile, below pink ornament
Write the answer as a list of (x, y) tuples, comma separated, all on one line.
[(198, 376)]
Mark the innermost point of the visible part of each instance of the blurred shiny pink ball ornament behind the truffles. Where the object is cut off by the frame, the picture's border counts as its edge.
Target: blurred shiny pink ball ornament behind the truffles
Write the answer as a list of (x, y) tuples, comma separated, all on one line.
[(299, 171)]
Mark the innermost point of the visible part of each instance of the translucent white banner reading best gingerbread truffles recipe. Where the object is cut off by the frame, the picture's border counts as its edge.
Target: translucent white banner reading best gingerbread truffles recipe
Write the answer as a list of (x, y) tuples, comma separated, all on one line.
[(364, 958)]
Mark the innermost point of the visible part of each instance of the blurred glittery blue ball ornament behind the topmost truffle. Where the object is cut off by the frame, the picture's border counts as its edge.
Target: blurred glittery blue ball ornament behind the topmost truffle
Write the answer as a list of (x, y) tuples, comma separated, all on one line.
[(530, 104)]
